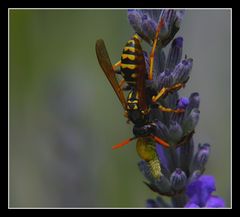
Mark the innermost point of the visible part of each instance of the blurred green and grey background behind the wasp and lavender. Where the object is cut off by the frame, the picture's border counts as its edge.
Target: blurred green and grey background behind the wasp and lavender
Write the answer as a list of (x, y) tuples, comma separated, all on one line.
[(64, 115)]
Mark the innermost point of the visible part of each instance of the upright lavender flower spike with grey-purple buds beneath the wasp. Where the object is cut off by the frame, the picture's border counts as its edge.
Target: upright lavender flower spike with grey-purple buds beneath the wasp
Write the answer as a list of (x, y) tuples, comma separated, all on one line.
[(179, 169)]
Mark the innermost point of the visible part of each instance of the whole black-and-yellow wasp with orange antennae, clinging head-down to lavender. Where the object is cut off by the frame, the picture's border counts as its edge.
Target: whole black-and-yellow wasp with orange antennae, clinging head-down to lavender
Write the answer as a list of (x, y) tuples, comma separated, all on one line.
[(133, 69)]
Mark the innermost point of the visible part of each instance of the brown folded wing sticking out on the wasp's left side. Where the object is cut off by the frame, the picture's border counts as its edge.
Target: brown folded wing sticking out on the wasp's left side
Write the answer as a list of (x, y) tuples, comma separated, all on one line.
[(106, 66)]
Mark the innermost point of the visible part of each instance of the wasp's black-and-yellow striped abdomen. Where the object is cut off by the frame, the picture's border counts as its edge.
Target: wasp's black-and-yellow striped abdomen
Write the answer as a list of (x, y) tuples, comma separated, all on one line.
[(132, 60)]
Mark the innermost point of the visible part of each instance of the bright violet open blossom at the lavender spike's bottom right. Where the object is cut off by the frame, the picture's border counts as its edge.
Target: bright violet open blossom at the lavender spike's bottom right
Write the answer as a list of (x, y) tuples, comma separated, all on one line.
[(199, 193)]
